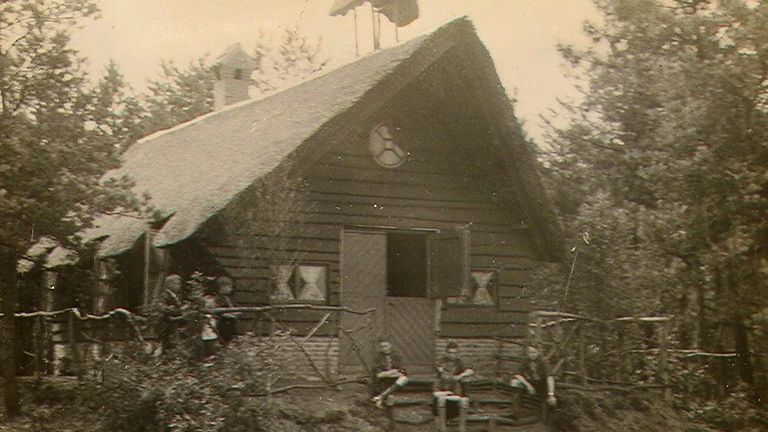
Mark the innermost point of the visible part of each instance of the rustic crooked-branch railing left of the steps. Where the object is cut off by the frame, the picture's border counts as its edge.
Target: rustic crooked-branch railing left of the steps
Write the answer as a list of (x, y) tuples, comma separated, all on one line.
[(78, 332)]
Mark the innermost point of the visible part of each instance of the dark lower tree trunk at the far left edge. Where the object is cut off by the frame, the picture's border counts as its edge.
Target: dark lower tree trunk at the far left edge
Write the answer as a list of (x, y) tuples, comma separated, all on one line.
[(9, 292)]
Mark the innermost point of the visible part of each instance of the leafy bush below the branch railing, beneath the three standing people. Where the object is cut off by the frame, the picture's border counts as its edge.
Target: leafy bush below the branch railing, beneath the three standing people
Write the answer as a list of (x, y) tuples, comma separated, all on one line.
[(174, 392)]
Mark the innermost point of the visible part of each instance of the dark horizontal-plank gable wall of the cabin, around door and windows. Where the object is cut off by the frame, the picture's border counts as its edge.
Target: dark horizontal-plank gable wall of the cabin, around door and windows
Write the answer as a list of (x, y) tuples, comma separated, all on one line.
[(450, 180)]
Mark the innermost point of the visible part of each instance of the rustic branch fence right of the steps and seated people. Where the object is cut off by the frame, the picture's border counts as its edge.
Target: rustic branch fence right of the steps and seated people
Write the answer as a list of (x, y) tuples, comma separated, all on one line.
[(590, 354)]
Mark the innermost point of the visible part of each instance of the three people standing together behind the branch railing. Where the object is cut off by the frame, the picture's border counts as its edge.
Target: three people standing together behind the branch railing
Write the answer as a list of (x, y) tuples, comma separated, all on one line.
[(184, 313)]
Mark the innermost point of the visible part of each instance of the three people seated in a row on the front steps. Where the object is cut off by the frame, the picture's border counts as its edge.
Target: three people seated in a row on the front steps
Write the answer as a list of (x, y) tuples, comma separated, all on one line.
[(450, 395)]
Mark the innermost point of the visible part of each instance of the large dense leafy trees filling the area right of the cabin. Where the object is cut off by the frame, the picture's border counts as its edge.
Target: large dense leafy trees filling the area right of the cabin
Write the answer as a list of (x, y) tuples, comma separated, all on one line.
[(664, 164)]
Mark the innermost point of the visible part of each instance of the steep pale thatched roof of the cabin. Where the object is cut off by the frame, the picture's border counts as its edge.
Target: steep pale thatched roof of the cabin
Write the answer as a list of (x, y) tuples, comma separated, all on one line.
[(194, 170)]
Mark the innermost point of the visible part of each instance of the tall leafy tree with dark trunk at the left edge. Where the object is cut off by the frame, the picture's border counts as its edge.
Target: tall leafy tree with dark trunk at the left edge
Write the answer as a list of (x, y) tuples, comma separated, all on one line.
[(54, 144)]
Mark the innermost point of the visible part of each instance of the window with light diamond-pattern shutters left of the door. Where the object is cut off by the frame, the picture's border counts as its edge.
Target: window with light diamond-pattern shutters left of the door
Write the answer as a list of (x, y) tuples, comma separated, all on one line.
[(303, 282)]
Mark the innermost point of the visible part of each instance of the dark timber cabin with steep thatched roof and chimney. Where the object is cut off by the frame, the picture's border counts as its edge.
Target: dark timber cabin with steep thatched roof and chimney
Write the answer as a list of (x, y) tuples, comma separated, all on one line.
[(401, 182)]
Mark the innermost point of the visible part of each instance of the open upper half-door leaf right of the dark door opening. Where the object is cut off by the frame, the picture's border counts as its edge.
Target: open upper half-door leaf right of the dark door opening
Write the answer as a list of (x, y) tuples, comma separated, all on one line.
[(449, 263)]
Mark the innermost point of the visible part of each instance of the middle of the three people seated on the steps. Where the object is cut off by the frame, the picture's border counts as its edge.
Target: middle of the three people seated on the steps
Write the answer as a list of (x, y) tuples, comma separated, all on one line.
[(450, 392)]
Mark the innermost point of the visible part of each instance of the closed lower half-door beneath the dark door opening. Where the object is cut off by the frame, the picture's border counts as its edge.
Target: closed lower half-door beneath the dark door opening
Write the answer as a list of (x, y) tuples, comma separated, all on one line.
[(410, 328)]
